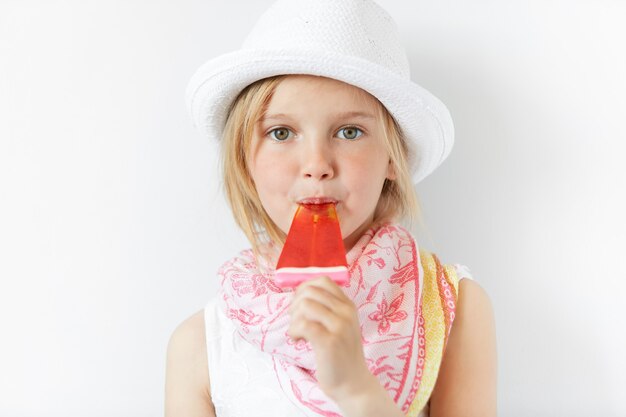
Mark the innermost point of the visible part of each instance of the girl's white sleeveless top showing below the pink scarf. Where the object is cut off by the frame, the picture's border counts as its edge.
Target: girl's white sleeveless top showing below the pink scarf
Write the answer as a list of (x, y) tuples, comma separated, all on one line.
[(242, 378)]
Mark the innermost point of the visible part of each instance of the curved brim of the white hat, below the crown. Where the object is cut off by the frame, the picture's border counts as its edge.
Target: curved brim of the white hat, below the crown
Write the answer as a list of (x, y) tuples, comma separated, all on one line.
[(424, 119)]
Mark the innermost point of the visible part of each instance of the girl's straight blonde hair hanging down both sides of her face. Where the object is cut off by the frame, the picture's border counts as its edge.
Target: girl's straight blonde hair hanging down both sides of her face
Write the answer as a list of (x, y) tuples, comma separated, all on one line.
[(398, 200)]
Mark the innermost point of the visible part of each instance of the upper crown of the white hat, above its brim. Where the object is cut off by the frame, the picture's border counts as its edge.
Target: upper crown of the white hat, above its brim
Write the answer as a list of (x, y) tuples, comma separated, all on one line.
[(358, 28)]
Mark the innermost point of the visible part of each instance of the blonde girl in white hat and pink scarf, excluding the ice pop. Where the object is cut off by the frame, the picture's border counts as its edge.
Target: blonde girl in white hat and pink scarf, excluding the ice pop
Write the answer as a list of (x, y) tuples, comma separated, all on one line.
[(318, 107)]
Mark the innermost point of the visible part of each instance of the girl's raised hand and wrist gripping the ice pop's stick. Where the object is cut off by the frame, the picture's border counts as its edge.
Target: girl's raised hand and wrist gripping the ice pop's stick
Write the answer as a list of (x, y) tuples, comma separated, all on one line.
[(324, 316)]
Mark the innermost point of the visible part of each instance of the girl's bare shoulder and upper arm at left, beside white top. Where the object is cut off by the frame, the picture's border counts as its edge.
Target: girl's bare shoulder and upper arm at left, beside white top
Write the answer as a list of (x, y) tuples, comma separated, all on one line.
[(187, 387)]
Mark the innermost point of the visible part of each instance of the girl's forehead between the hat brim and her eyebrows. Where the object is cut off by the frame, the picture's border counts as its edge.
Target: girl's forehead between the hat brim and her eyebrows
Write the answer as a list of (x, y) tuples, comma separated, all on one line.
[(301, 91)]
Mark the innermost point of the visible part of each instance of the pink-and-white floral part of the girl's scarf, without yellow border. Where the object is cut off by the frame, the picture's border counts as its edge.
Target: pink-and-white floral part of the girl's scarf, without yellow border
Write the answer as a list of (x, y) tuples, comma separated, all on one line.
[(386, 287)]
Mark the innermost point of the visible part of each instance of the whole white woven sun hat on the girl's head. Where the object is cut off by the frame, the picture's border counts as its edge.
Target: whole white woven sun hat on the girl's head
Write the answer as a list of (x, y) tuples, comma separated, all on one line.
[(354, 41)]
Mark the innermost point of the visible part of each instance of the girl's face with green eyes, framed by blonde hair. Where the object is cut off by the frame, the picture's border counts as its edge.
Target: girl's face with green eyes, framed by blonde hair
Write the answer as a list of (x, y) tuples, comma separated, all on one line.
[(319, 140)]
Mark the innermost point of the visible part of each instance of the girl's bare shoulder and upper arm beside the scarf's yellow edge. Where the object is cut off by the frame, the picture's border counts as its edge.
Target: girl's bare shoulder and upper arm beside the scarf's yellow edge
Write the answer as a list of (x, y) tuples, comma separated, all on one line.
[(467, 378)]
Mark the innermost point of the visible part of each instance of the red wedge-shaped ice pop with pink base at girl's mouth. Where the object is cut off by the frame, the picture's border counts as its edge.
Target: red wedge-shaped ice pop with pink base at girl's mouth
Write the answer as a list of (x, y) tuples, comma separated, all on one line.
[(313, 247)]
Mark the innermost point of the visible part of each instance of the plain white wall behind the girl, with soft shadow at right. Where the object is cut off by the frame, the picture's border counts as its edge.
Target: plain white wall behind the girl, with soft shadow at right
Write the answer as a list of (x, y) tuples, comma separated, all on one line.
[(112, 224)]
